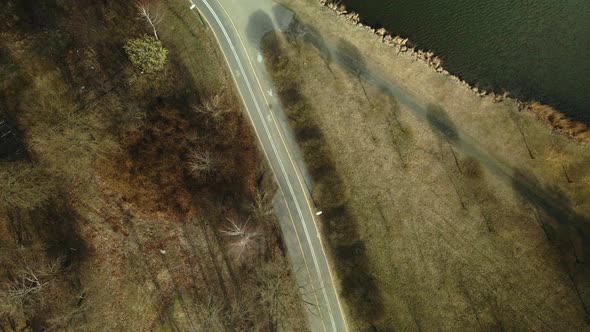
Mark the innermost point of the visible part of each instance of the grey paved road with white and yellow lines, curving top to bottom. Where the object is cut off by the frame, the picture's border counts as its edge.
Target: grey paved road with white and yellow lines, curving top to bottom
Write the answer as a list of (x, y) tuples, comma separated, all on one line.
[(302, 237)]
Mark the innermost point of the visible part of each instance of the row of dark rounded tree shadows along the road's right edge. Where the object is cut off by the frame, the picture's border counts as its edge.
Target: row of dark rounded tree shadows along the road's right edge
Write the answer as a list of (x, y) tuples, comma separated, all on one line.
[(339, 225)]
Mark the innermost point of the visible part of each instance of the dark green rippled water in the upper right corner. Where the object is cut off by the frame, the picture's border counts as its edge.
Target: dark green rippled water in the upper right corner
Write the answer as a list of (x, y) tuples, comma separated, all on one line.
[(534, 49)]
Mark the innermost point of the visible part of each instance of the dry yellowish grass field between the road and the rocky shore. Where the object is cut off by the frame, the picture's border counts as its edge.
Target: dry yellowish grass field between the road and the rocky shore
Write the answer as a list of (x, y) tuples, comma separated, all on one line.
[(423, 233)]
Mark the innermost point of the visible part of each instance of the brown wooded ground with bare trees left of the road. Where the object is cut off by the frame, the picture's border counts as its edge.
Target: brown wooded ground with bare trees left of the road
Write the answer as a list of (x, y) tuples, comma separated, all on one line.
[(110, 220)]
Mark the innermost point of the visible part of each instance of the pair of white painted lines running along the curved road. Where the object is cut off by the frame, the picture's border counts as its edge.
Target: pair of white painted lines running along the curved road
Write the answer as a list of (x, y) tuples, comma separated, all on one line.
[(278, 159)]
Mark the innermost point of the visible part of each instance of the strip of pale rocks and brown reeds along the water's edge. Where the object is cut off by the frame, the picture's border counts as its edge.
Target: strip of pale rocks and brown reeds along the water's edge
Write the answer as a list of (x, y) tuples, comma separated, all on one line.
[(556, 120)]
